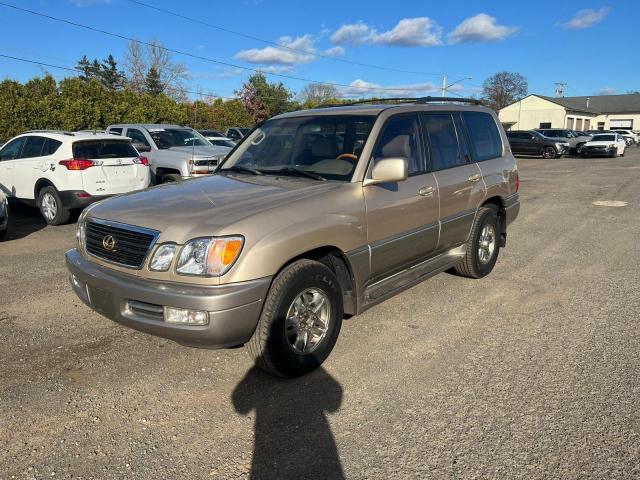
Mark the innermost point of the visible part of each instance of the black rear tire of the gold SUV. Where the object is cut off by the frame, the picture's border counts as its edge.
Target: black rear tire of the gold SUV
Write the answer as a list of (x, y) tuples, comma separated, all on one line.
[(472, 265)]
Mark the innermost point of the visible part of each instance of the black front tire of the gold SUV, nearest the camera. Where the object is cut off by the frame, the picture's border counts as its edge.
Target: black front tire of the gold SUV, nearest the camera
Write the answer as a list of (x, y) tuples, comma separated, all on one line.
[(272, 344)]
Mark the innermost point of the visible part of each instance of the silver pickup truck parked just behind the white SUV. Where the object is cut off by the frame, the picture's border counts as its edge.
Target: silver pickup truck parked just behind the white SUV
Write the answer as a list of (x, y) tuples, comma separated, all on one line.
[(175, 152)]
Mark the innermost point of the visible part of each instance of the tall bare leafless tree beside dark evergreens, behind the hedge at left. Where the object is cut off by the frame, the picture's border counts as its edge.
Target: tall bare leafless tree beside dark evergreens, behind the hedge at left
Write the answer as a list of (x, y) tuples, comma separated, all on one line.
[(141, 58)]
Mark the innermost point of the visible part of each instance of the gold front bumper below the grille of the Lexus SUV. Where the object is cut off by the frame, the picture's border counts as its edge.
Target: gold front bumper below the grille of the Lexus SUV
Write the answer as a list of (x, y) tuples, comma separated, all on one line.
[(234, 309)]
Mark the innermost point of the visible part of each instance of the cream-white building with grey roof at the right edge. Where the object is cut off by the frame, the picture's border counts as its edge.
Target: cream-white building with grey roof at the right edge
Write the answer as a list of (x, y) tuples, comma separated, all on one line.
[(598, 112)]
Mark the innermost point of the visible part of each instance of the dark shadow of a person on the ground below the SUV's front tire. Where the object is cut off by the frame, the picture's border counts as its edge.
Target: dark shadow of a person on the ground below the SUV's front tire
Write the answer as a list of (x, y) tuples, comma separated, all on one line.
[(292, 435)]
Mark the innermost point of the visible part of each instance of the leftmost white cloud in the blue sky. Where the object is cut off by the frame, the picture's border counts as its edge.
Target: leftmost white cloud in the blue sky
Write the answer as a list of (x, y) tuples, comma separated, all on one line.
[(291, 51)]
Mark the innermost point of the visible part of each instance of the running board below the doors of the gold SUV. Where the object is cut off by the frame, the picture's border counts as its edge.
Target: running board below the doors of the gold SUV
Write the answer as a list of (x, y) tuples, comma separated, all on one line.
[(404, 279)]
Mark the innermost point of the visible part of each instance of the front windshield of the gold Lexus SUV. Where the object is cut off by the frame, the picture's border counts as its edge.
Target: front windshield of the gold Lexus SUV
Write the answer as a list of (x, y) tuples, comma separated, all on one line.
[(328, 146)]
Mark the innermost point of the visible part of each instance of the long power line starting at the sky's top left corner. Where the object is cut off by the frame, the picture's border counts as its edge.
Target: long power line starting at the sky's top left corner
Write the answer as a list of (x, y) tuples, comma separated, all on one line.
[(191, 55)]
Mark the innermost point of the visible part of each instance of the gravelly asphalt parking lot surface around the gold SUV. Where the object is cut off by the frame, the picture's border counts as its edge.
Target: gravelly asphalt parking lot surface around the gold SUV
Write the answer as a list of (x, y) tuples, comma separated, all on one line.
[(531, 372)]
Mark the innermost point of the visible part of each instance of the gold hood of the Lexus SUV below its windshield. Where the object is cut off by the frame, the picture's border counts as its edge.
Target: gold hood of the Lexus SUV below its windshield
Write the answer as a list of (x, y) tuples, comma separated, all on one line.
[(203, 206)]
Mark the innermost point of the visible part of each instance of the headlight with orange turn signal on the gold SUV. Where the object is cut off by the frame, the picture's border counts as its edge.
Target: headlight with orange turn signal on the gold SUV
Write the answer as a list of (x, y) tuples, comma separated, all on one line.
[(209, 256)]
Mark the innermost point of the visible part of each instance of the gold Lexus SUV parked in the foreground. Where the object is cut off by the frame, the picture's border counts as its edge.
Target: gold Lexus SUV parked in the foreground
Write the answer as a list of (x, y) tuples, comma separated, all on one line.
[(316, 215)]
